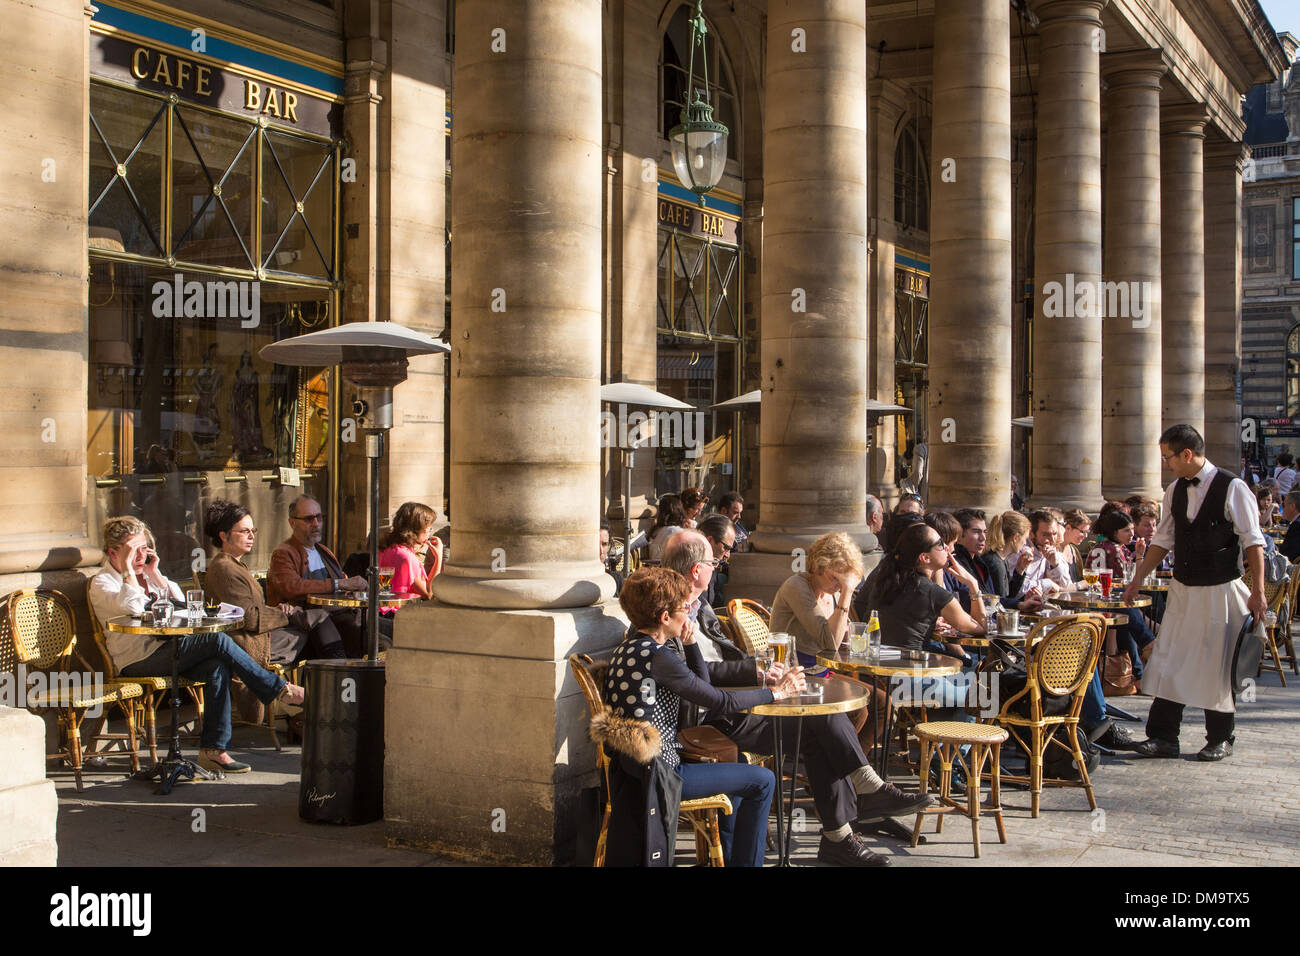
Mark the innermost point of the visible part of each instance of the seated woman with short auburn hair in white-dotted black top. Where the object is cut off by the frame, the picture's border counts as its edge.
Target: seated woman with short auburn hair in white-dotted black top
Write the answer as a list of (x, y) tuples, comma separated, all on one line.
[(644, 686)]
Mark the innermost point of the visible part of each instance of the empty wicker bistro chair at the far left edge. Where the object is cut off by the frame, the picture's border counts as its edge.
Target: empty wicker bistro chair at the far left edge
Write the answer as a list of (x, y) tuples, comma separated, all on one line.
[(45, 637)]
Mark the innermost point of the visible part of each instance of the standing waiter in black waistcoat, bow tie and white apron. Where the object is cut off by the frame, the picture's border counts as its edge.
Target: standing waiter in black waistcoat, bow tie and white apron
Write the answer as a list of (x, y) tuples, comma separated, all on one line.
[(1210, 521)]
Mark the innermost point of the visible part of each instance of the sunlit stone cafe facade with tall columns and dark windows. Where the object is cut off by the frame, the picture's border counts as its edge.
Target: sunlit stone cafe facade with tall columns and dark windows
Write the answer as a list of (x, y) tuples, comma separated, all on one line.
[(196, 181)]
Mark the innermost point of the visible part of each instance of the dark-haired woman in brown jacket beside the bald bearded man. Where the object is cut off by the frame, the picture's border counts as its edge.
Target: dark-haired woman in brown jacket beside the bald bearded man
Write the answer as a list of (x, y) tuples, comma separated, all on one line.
[(272, 634)]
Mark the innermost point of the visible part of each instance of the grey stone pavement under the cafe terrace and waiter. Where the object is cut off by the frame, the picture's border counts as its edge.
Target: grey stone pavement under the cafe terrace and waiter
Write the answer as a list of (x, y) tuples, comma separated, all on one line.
[(1245, 811)]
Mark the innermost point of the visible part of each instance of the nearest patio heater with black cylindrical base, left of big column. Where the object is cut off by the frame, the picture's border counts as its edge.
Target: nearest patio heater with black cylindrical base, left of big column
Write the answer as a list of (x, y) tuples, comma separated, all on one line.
[(343, 778)]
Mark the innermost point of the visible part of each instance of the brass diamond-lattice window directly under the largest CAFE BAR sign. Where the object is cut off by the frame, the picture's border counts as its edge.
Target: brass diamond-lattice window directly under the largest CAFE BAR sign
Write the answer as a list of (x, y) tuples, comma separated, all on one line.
[(227, 175)]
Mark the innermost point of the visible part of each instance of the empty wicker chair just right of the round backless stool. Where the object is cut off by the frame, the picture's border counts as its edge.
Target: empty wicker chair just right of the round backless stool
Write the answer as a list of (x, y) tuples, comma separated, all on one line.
[(1061, 659)]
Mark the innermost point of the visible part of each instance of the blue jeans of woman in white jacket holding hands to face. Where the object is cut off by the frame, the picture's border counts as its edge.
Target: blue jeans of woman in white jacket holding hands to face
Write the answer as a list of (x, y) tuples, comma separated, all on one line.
[(211, 659)]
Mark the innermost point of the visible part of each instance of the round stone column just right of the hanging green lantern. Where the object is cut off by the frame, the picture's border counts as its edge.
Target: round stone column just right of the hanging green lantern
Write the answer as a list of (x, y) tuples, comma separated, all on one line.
[(814, 356)]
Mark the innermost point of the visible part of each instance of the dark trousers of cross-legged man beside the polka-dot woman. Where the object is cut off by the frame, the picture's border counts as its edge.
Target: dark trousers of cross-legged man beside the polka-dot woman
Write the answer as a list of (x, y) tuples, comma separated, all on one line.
[(830, 752)]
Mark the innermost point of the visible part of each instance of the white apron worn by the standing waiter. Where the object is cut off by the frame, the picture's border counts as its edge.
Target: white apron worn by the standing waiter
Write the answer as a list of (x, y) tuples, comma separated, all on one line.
[(1193, 660)]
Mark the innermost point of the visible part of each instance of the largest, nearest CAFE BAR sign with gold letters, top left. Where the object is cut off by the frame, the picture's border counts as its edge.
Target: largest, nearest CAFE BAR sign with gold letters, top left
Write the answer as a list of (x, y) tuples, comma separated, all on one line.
[(197, 80)]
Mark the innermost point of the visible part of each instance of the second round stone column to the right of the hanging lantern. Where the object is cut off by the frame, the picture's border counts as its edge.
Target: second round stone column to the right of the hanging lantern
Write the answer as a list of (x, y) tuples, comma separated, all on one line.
[(970, 252)]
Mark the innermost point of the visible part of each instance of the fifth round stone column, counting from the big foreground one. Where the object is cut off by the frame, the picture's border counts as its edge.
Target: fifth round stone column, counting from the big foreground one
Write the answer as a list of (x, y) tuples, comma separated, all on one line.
[(1132, 330)]
